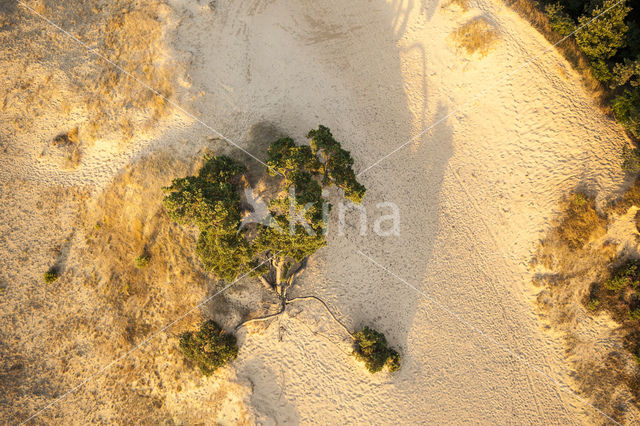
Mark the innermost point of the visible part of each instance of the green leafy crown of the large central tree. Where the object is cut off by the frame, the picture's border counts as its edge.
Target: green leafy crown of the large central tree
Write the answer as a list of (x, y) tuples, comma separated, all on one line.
[(211, 201)]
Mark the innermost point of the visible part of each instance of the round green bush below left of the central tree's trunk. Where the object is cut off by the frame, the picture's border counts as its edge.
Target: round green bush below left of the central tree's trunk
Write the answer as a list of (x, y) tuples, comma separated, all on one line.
[(210, 347)]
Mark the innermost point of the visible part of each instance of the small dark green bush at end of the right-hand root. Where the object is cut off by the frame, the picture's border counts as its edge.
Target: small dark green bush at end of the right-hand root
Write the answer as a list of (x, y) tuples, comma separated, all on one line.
[(371, 348)]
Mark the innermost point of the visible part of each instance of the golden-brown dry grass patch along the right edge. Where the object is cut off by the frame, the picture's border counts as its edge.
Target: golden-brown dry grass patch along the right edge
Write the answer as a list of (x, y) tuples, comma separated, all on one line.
[(575, 259)]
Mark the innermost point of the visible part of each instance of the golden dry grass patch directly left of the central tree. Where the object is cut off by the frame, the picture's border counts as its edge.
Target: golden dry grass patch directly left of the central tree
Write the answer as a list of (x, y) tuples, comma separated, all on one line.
[(128, 219)]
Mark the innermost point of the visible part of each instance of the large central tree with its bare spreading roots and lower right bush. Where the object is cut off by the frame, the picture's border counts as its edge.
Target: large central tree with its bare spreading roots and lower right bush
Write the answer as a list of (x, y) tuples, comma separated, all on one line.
[(235, 241)]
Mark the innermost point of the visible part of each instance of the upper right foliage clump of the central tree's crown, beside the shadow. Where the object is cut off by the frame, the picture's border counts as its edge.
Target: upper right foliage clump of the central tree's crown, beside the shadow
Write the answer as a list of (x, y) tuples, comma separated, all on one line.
[(337, 164)]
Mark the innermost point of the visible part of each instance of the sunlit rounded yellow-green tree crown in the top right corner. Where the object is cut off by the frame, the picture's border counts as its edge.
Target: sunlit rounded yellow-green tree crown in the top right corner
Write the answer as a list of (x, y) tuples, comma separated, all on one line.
[(601, 38)]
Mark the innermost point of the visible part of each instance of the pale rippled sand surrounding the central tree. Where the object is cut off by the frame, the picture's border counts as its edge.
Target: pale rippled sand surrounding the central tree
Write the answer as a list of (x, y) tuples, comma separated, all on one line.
[(475, 193)]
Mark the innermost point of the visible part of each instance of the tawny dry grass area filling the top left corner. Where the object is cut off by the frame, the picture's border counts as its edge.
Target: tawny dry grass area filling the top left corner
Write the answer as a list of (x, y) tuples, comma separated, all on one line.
[(50, 79)]
